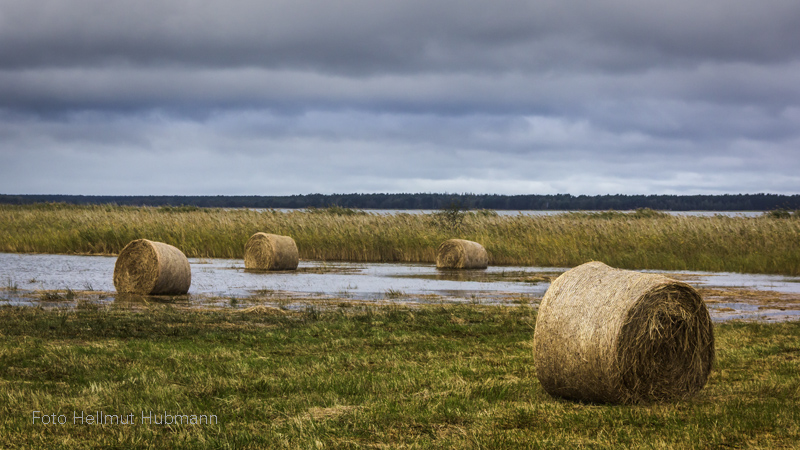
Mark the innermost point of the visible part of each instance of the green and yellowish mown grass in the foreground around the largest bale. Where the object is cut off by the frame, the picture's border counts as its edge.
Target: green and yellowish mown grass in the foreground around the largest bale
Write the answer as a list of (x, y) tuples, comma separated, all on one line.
[(392, 377)]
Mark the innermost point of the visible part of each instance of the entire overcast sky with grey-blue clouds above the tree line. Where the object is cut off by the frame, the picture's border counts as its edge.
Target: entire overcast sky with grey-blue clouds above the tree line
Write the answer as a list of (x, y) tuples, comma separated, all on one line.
[(279, 97)]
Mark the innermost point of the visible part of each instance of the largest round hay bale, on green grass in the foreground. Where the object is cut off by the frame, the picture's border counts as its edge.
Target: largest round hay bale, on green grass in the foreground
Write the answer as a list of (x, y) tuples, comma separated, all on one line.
[(617, 336)]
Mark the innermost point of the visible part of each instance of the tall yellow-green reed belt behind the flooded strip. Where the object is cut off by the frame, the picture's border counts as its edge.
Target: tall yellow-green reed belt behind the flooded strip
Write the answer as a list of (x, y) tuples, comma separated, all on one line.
[(643, 240)]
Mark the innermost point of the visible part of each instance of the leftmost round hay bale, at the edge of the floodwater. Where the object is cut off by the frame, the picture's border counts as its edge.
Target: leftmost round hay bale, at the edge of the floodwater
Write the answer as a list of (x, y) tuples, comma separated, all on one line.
[(151, 268)]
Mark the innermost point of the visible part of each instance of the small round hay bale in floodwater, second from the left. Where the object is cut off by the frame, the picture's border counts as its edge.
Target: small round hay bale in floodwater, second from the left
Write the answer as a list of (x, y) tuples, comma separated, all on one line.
[(265, 251)]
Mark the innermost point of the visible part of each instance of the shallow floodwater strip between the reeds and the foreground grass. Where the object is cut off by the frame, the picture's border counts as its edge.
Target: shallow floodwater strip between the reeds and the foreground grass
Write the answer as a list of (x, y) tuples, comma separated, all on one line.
[(67, 280)]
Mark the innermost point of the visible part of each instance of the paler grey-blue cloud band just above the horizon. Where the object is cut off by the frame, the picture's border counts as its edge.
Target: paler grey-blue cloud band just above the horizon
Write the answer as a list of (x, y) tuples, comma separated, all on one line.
[(322, 152)]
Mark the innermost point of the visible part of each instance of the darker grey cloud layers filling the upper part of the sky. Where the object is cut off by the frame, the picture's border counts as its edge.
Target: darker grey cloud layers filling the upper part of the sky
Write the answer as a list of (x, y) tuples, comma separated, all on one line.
[(552, 57)]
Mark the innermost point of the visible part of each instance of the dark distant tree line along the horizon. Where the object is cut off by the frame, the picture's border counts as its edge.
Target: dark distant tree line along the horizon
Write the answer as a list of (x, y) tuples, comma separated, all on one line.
[(728, 202)]
